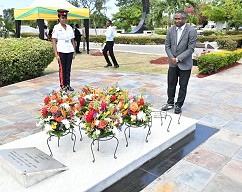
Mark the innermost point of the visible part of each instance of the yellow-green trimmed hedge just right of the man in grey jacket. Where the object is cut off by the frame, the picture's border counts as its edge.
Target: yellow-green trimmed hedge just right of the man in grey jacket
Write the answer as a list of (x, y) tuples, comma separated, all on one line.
[(212, 62)]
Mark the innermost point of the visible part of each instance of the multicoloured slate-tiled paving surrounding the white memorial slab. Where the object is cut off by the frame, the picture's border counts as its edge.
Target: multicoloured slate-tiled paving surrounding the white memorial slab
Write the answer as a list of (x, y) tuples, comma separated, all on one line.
[(214, 166)]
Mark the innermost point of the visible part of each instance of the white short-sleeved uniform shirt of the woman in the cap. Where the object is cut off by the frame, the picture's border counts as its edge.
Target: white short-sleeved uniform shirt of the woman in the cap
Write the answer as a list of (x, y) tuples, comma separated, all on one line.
[(63, 37)]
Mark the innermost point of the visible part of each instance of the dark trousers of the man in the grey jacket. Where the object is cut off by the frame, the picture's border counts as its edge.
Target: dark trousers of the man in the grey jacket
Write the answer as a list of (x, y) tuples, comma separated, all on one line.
[(174, 73)]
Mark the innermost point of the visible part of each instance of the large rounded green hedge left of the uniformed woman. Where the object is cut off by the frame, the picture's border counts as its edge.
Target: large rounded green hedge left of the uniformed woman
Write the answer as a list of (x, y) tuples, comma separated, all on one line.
[(23, 59)]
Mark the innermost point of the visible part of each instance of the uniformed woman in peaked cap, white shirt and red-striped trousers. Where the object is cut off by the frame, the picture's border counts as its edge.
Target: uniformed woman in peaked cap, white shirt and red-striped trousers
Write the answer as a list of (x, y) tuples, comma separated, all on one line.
[(64, 46)]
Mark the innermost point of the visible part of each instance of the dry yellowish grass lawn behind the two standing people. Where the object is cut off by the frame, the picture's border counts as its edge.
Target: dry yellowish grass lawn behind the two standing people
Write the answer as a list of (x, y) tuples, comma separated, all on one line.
[(128, 62)]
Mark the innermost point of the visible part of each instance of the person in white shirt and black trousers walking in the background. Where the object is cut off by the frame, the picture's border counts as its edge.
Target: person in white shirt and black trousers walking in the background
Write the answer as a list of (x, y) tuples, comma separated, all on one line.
[(109, 45)]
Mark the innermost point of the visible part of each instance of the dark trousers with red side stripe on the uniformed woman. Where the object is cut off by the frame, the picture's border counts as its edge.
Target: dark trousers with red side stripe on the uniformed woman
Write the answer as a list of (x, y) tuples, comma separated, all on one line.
[(65, 68)]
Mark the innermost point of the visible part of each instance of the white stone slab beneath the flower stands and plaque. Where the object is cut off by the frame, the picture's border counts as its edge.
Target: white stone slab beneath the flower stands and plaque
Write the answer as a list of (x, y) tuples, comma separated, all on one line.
[(83, 174)]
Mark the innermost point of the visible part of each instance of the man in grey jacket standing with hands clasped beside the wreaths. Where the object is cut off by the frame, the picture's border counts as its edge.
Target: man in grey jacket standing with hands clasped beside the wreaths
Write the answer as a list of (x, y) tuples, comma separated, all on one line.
[(180, 44)]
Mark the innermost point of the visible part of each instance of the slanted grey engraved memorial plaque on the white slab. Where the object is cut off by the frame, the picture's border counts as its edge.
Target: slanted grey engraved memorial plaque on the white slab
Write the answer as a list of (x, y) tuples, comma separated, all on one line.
[(29, 165)]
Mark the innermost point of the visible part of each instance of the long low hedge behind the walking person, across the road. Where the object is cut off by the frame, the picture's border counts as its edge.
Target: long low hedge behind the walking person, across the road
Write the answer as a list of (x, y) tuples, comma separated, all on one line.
[(131, 40)]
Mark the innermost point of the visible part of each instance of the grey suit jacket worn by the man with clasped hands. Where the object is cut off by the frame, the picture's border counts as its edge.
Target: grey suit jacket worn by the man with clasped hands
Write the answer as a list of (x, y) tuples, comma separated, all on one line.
[(183, 51)]
